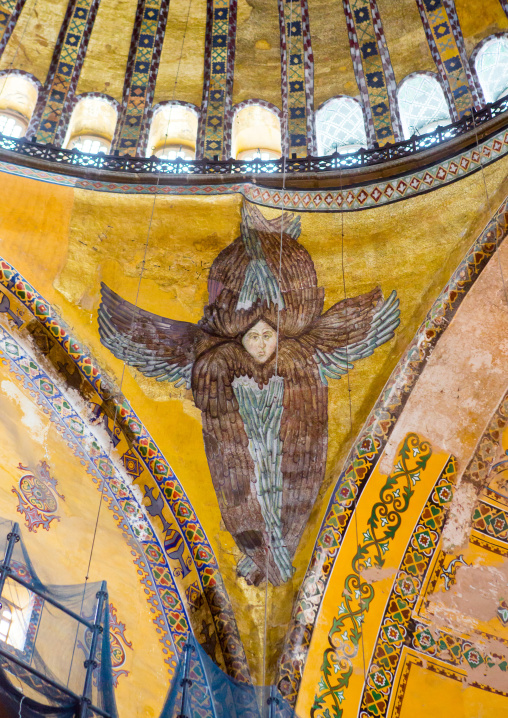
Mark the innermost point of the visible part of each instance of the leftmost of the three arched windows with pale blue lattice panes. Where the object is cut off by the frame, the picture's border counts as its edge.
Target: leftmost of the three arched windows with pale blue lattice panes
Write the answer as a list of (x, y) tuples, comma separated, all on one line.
[(340, 126)]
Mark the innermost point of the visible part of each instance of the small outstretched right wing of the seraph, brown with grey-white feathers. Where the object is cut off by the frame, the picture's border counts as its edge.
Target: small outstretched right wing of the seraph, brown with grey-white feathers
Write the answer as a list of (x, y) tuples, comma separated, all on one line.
[(352, 330)]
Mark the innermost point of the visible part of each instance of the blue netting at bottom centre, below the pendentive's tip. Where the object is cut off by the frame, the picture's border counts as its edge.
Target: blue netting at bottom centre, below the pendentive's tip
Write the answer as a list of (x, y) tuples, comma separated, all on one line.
[(200, 689)]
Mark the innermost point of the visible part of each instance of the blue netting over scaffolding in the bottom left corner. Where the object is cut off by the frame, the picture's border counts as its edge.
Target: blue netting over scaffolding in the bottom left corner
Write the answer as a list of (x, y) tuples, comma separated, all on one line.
[(47, 634)]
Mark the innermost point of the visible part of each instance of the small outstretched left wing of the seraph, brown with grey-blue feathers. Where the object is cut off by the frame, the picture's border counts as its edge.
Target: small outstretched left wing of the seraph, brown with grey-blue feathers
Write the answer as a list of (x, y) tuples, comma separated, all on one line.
[(159, 347)]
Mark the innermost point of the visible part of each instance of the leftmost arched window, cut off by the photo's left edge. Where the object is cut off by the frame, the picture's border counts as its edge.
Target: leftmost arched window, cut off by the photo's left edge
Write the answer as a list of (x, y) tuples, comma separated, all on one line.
[(18, 97)]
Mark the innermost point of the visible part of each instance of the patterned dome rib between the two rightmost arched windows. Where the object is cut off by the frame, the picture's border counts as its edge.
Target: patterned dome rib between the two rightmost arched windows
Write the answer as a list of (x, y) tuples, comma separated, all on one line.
[(446, 44)]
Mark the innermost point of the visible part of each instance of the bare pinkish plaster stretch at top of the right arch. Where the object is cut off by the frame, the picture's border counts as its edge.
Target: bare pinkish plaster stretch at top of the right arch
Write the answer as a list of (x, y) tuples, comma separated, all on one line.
[(465, 377)]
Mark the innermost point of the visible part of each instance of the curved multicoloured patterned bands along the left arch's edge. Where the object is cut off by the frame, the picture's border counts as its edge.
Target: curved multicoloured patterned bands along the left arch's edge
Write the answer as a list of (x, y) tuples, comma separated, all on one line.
[(180, 546)]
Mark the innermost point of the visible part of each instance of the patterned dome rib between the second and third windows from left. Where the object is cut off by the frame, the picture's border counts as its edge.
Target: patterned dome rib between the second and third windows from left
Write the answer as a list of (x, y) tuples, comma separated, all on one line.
[(141, 74)]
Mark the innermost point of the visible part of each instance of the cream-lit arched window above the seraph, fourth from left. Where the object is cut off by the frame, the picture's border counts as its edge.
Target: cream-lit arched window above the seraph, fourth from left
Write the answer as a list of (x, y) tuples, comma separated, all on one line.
[(256, 134)]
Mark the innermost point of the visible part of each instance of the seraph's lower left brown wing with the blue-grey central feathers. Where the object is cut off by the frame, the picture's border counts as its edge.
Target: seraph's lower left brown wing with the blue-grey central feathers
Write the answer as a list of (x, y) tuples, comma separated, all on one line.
[(228, 389)]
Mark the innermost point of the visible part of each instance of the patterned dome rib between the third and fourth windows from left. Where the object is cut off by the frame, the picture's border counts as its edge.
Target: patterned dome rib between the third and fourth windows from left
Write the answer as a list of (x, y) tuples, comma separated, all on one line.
[(214, 137)]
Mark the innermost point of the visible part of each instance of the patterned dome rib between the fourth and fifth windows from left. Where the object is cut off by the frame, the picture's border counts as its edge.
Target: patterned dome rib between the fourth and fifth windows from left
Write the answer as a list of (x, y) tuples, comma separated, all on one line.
[(297, 74)]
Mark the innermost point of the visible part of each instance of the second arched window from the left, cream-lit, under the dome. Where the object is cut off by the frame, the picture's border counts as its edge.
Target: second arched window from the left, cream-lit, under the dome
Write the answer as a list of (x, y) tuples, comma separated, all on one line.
[(92, 126)]
